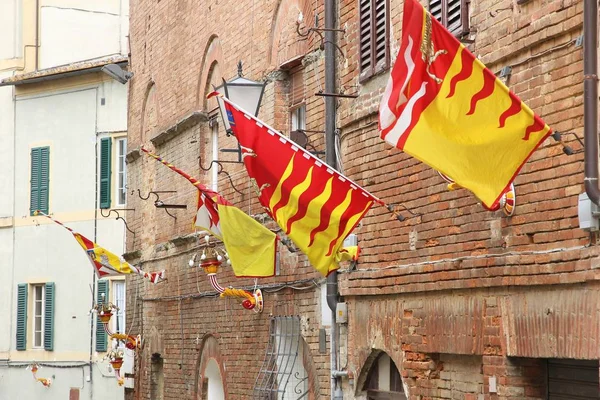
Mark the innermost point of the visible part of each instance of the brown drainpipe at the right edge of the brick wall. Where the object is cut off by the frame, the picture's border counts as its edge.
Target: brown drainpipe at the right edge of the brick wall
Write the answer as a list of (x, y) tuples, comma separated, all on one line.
[(590, 98)]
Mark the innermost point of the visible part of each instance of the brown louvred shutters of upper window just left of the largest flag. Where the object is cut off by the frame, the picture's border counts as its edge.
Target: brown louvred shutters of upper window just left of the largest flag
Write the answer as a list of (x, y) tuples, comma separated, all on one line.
[(374, 41)]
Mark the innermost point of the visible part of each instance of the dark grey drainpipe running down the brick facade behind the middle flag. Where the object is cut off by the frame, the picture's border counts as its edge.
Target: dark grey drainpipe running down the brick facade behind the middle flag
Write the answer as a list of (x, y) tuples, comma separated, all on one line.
[(330, 158)]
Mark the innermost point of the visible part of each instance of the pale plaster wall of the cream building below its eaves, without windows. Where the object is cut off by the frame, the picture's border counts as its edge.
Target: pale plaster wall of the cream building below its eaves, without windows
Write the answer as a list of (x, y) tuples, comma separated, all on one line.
[(68, 121)]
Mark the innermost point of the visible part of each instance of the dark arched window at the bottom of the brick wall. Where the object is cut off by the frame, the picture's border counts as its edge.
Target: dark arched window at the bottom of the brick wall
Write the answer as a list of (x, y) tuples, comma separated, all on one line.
[(383, 381)]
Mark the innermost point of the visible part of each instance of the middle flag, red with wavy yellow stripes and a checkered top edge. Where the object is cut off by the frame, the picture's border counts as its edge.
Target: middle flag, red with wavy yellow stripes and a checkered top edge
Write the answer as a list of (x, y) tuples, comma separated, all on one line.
[(314, 205)]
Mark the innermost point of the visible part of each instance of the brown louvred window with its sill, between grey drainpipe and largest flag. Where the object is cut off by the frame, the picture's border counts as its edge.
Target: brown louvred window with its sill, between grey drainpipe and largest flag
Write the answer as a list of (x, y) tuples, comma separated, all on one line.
[(374, 68)]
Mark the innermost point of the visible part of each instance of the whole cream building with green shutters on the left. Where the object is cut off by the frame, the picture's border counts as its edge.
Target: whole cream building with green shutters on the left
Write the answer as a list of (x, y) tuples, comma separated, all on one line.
[(63, 124)]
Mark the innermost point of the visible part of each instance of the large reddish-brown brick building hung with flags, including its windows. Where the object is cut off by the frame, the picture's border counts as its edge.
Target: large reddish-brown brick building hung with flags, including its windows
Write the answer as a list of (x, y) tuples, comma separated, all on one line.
[(453, 303)]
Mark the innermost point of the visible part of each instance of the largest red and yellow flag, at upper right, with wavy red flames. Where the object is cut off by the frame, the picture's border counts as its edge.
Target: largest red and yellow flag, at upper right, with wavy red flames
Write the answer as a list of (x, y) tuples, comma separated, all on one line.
[(445, 108)]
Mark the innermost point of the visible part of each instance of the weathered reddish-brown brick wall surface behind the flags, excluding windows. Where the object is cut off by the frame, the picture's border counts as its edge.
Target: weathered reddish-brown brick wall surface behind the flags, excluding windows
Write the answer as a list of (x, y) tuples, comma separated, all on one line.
[(453, 253)]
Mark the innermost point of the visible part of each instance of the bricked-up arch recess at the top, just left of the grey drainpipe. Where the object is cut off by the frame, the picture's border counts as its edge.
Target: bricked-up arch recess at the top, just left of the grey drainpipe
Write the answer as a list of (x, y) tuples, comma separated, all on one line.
[(285, 44)]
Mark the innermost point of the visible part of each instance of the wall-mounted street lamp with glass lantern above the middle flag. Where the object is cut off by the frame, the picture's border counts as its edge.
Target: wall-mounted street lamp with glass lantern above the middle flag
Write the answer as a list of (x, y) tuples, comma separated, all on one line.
[(244, 92)]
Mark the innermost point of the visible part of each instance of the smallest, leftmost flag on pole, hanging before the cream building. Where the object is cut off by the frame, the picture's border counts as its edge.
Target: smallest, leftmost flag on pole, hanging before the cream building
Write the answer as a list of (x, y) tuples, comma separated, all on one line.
[(104, 262)]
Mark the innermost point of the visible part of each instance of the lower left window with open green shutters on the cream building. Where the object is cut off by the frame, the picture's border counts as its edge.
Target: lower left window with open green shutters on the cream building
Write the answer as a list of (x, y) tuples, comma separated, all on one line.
[(41, 310)]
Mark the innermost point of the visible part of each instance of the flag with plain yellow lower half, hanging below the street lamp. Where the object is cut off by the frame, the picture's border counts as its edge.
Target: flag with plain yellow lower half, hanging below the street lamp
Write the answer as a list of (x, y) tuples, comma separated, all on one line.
[(251, 247)]
